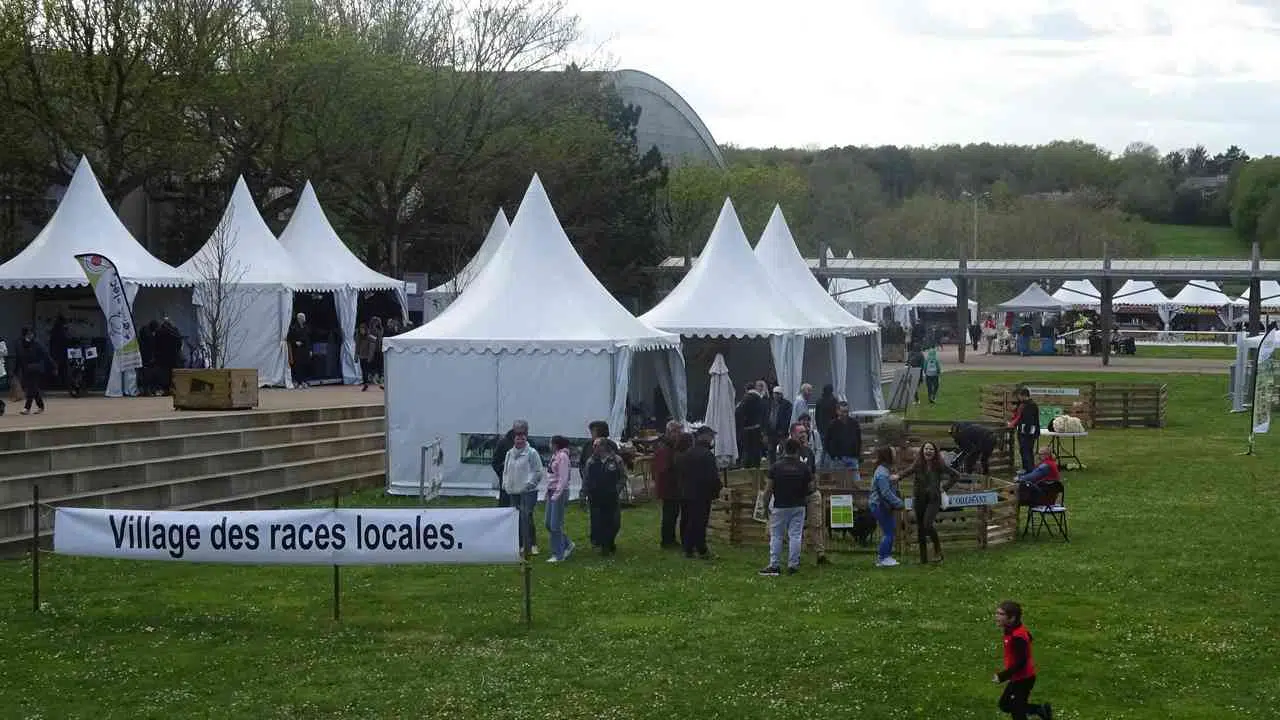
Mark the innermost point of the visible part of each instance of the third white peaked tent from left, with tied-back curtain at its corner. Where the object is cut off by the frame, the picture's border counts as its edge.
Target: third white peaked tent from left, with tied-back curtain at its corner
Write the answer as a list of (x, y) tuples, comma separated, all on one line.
[(322, 257)]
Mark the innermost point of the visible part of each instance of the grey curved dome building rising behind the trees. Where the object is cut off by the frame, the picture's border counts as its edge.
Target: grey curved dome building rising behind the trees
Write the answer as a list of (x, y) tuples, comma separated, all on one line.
[(668, 121)]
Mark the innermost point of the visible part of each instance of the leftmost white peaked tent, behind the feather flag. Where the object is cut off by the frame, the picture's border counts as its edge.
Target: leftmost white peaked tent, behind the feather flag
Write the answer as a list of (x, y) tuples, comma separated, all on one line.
[(86, 224)]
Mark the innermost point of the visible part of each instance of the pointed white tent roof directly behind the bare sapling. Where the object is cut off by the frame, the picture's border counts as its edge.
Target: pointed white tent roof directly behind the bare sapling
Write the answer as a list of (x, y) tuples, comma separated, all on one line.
[(248, 250)]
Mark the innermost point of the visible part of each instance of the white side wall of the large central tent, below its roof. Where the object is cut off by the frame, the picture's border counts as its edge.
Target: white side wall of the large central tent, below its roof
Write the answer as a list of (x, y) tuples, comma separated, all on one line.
[(450, 395)]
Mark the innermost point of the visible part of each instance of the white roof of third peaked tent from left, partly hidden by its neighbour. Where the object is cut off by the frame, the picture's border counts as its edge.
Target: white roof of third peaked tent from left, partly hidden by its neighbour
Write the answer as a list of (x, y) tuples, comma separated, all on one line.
[(321, 256)]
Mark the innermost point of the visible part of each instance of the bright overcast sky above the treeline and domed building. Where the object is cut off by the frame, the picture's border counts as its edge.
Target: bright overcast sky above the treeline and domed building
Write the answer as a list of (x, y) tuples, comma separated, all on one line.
[(793, 74)]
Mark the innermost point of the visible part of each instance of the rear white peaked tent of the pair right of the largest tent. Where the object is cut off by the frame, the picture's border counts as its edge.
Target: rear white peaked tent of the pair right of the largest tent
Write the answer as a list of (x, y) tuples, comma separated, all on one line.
[(854, 349)]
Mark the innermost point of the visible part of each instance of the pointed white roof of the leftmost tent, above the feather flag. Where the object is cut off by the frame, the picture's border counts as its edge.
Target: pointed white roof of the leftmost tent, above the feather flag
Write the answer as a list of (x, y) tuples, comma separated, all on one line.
[(85, 224)]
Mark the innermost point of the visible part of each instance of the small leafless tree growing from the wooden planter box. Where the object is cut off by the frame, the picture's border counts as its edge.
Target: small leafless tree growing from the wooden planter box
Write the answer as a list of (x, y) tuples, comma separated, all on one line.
[(220, 300)]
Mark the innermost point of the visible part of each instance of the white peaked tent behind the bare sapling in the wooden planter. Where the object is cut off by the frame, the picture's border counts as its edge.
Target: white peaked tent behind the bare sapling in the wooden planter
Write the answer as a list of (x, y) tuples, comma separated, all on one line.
[(255, 277)]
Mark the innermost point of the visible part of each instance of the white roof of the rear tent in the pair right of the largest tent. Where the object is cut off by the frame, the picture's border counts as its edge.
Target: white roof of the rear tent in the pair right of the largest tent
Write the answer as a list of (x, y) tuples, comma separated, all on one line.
[(779, 254)]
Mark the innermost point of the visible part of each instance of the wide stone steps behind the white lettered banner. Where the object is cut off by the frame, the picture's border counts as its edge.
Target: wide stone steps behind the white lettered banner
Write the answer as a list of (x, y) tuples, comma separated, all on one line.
[(236, 462)]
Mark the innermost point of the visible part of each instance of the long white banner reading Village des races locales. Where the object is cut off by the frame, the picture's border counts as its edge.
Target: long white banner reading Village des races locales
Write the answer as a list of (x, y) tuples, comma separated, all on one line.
[(294, 537)]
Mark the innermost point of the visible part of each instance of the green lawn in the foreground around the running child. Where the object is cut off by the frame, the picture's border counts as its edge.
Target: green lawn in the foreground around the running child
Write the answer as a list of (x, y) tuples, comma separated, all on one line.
[(1164, 607)]
